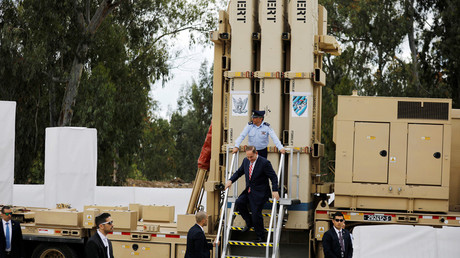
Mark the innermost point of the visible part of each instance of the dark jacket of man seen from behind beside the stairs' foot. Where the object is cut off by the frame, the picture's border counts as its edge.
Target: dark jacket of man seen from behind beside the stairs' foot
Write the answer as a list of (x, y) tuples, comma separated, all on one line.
[(197, 246)]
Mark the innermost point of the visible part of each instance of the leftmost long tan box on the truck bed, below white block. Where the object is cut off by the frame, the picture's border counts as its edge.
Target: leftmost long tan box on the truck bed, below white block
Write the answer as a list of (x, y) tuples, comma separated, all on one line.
[(59, 217)]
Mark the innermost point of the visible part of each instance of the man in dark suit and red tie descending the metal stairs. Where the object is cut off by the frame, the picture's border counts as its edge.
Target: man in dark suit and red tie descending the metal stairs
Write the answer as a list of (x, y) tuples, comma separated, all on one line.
[(257, 171)]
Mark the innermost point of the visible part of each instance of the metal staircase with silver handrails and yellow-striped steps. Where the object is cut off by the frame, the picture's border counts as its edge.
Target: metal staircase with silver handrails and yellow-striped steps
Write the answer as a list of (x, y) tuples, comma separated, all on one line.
[(228, 215)]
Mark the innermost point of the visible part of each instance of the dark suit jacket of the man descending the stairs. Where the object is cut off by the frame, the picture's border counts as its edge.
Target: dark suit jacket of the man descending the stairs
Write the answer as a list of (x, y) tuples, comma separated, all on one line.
[(261, 173)]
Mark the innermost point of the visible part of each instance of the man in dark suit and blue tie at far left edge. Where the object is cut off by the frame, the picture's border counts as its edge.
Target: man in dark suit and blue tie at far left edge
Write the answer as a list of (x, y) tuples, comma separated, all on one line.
[(10, 236)]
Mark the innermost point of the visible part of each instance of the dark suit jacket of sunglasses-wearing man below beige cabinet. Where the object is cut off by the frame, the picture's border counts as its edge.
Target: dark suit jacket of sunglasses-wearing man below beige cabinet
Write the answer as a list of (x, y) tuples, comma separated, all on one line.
[(331, 244)]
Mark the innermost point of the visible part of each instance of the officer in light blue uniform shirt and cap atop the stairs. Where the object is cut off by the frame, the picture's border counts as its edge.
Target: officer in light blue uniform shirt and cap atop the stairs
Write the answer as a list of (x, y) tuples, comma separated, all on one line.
[(258, 132)]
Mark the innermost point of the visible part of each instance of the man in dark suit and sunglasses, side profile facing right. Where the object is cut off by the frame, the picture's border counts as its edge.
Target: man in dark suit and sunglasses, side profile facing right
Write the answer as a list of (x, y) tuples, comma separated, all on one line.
[(98, 246)]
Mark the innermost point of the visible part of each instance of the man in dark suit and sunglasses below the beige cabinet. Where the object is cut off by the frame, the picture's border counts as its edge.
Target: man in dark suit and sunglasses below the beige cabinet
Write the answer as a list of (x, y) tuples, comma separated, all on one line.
[(337, 240)]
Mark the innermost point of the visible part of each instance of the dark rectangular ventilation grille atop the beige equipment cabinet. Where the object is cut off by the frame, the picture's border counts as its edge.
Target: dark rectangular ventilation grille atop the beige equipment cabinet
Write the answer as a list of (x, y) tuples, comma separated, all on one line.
[(423, 110)]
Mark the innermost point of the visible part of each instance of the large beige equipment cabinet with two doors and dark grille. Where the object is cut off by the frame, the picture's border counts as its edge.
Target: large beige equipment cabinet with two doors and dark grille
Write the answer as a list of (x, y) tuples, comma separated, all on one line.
[(393, 153)]
